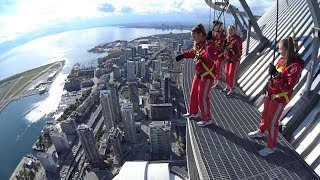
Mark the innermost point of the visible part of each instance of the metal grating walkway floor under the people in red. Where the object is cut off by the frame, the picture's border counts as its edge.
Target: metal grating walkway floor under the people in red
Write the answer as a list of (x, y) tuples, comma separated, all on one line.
[(226, 150)]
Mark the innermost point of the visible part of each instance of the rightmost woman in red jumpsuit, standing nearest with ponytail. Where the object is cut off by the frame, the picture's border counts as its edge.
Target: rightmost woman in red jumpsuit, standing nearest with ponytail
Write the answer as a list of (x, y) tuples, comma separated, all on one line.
[(279, 89)]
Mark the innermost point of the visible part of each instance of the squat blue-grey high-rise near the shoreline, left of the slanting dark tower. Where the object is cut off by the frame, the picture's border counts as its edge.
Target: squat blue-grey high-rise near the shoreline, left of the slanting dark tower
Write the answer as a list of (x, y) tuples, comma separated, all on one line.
[(60, 141)]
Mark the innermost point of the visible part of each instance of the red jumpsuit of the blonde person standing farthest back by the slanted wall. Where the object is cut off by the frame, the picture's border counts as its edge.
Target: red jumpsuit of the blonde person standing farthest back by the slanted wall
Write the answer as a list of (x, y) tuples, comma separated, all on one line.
[(233, 52)]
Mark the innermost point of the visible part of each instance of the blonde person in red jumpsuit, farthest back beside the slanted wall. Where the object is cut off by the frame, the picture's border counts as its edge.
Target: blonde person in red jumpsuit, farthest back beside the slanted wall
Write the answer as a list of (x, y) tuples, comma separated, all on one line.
[(233, 52)]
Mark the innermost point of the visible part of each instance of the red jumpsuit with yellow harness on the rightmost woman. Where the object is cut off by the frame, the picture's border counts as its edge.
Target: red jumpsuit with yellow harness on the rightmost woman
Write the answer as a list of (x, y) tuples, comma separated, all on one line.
[(274, 102)]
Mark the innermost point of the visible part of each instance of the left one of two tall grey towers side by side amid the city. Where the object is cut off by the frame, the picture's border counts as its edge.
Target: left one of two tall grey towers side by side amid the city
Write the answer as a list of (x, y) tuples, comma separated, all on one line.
[(107, 109)]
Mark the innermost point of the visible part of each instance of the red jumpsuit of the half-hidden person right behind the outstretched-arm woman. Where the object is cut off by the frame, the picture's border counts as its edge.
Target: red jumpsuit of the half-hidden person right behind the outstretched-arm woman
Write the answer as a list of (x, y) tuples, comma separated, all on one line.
[(218, 54)]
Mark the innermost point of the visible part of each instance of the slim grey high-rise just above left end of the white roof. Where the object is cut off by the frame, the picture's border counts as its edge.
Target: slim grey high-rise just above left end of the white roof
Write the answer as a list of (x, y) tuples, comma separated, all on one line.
[(115, 138)]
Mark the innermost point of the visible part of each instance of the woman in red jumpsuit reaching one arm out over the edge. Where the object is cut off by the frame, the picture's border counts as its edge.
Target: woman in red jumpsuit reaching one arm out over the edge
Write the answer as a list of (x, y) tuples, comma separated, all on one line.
[(203, 80)]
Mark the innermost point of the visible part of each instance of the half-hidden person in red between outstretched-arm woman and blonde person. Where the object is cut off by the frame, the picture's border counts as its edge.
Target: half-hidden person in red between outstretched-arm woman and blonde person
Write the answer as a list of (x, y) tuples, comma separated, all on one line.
[(218, 39)]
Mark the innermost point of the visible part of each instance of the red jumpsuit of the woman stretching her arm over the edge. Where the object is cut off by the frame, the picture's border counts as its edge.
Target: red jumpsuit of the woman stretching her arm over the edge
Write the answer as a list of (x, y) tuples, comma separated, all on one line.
[(202, 82)]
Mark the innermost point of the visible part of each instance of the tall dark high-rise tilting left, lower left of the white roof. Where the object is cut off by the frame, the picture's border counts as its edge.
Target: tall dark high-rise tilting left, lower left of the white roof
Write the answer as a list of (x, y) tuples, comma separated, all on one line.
[(89, 145)]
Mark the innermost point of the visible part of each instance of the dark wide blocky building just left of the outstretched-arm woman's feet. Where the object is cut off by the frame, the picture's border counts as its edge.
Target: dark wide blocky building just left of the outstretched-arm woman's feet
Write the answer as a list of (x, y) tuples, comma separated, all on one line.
[(161, 112)]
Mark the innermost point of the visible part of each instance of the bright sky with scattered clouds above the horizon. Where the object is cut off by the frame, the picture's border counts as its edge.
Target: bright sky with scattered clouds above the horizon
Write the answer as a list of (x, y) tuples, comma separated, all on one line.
[(20, 17)]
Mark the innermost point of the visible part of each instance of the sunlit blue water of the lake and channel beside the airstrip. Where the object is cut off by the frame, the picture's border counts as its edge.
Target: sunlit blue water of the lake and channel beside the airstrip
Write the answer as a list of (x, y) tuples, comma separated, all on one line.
[(22, 120)]
